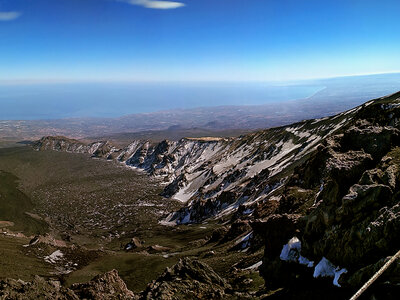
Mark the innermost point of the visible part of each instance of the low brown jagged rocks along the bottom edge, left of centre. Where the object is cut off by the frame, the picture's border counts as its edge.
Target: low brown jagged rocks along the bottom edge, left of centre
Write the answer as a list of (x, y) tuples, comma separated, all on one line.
[(187, 279)]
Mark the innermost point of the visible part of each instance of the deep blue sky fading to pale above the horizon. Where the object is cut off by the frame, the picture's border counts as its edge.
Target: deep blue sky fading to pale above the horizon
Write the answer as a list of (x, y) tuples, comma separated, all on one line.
[(196, 40)]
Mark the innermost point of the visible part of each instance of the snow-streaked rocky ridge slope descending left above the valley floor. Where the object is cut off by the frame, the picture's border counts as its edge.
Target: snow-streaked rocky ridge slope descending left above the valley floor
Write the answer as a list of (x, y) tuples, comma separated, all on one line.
[(216, 172)]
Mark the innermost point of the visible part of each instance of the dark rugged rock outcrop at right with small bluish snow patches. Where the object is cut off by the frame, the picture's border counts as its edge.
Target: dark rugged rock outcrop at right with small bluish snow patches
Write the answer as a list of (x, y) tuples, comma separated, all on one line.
[(347, 207)]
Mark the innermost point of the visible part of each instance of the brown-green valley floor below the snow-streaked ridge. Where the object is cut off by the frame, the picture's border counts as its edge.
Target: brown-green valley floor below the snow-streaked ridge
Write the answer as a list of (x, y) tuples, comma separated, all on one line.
[(85, 211)]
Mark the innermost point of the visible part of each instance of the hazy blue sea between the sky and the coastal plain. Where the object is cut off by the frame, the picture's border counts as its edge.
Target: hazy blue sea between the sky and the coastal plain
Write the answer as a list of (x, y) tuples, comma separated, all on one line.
[(23, 101)]
